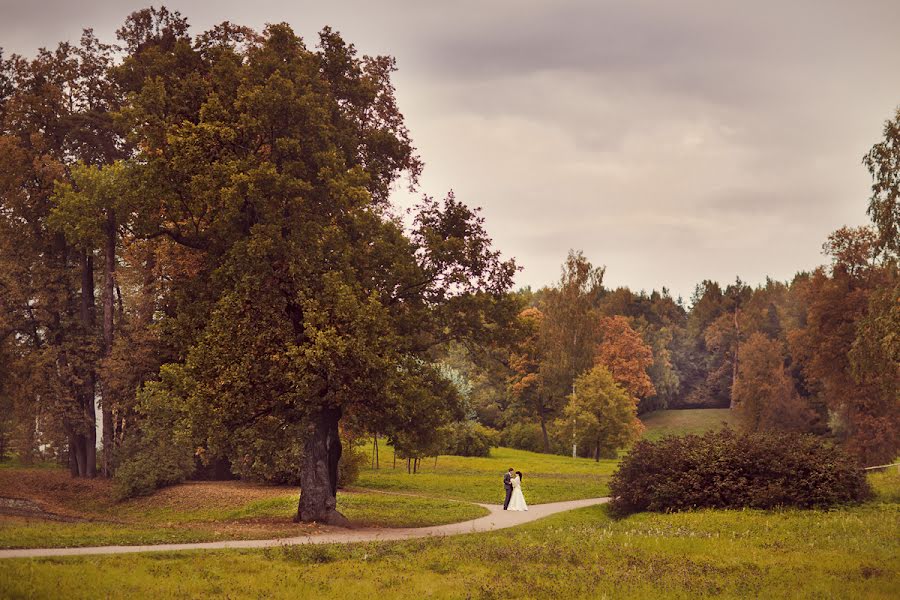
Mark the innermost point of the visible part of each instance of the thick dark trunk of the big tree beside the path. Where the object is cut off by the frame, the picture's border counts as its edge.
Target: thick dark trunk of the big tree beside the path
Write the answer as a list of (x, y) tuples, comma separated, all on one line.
[(318, 472)]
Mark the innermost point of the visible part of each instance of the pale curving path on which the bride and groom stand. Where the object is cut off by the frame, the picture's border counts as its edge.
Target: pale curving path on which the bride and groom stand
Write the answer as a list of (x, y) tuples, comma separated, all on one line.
[(497, 519)]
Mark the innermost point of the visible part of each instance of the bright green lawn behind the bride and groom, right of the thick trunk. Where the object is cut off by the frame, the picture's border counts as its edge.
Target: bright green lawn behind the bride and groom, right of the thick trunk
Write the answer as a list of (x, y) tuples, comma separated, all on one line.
[(546, 478)]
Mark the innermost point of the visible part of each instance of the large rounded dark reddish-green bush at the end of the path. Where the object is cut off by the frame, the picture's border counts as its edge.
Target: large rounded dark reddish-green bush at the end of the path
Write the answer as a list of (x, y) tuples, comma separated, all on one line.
[(726, 469)]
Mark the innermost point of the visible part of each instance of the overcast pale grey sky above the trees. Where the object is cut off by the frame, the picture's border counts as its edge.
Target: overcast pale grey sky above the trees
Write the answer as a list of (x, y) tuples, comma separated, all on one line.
[(670, 141)]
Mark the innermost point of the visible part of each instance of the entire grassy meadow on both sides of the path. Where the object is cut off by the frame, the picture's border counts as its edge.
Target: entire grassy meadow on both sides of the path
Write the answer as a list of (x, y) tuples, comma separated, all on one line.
[(845, 552)]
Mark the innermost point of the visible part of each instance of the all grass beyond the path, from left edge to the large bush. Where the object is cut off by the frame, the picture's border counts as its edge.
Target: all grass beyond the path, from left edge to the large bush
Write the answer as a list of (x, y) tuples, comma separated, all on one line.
[(210, 511)]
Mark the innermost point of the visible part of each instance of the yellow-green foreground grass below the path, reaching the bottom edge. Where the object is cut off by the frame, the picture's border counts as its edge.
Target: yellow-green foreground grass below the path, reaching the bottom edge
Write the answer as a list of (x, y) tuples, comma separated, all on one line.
[(850, 552)]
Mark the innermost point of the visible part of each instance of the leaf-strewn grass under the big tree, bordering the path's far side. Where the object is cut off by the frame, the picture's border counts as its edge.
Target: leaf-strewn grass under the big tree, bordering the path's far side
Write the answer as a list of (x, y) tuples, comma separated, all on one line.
[(193, 512)]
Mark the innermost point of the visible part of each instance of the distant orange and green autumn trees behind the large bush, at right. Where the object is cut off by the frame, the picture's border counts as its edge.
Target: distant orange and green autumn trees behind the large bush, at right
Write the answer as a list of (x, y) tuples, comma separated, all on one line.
[(819, 354)]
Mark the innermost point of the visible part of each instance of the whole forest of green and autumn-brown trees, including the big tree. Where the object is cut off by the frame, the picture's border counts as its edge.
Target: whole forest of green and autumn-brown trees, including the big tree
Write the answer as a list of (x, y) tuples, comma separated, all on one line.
[(200, 260)]
